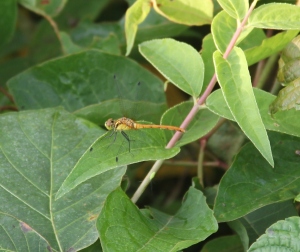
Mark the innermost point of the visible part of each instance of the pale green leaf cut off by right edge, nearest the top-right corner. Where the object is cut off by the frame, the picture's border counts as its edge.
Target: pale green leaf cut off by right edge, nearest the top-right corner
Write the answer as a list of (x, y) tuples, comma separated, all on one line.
[(278, 16)]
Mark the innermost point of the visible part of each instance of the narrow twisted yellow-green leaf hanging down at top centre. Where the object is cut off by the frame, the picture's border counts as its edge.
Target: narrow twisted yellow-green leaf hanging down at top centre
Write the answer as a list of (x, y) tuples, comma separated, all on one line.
[(135, 15)]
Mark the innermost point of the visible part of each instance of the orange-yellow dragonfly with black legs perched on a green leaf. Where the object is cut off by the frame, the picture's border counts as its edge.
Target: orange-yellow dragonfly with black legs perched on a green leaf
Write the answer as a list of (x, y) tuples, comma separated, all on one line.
[(124, 124)]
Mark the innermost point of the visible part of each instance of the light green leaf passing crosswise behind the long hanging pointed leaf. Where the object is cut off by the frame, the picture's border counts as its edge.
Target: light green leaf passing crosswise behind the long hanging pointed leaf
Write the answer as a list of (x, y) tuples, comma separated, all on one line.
[(286, 122)]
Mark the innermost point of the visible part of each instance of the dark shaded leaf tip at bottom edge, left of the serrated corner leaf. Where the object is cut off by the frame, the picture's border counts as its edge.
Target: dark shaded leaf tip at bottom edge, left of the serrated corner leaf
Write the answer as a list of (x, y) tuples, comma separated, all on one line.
[(228, 243)]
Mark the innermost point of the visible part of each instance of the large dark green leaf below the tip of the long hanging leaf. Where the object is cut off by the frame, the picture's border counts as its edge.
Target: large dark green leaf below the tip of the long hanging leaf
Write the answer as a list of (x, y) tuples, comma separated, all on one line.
[(243, 187)]
